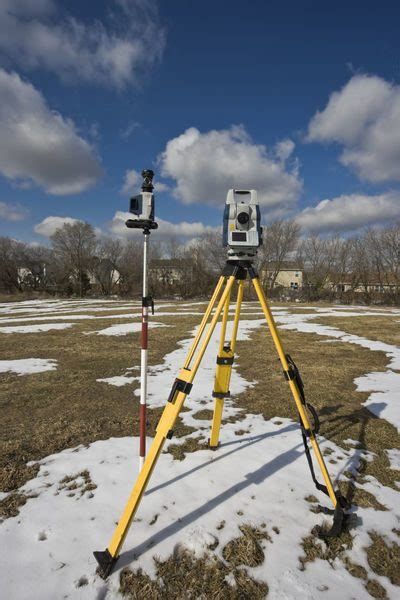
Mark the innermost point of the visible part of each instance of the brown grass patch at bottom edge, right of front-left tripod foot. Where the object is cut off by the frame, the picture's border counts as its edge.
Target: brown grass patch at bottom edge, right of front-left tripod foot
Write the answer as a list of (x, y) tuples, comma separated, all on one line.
[(183, 577)]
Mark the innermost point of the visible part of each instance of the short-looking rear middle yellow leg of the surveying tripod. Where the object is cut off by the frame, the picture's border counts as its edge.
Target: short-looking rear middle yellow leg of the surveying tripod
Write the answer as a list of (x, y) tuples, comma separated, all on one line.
[(223, 371)]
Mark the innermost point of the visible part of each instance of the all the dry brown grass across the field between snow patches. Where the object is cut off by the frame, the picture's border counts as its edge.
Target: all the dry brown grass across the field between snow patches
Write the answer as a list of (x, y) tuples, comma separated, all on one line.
[(47, 412)]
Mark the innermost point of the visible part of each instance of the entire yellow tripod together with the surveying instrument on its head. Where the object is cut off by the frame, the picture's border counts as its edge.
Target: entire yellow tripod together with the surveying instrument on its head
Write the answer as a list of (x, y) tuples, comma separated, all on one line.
[(242, 248)]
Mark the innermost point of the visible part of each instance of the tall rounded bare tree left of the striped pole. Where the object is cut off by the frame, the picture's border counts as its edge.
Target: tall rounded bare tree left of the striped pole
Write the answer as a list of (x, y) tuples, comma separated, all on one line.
[(74, 247)]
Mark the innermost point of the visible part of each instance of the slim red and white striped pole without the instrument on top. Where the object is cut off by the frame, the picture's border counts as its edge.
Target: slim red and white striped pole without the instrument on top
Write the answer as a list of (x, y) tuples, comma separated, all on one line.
[(147, 301)]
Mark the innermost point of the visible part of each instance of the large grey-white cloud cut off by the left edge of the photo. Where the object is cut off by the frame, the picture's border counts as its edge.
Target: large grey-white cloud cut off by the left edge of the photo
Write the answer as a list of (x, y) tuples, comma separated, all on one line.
[(39, 145)]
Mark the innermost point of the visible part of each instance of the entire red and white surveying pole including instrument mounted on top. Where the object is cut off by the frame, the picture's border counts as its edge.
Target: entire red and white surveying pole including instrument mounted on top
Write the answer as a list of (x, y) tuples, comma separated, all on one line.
[(142, 207)]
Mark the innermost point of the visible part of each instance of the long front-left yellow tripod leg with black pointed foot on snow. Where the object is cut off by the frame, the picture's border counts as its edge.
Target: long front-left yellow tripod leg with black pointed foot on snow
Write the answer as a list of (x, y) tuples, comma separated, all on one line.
[(180, 389)]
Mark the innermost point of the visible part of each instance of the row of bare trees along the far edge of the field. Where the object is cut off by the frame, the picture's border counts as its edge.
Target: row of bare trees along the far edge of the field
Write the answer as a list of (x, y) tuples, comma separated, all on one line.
[(363, 267)]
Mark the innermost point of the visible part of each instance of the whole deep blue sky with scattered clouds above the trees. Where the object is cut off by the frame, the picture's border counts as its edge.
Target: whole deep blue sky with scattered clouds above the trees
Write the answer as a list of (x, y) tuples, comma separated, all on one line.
[(211, 95)]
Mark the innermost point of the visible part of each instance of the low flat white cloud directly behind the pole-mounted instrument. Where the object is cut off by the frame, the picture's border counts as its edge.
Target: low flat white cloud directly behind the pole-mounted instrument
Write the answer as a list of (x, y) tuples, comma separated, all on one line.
[(165, 228)]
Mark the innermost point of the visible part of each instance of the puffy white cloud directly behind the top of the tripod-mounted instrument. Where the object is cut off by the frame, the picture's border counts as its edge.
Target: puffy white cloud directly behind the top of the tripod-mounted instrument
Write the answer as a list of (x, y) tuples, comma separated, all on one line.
[(205, 165)]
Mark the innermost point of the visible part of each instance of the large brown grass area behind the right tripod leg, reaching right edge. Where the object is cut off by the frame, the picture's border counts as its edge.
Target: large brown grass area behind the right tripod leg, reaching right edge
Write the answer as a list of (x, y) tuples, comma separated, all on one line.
[(328, 371)]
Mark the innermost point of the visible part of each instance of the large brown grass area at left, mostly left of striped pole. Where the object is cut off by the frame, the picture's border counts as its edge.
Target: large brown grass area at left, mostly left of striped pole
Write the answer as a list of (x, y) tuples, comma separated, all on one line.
[(47, 412)]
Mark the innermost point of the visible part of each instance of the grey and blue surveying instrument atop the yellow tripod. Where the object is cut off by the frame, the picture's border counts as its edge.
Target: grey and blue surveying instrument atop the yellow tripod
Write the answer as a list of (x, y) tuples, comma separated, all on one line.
[(242, 231)]
